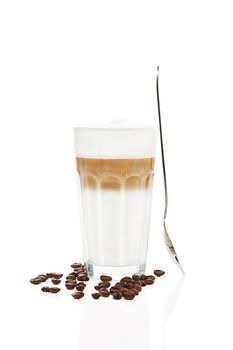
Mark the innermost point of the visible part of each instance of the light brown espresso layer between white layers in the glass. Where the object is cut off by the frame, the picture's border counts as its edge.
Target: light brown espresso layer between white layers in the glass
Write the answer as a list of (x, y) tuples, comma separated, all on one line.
[(115, 174)]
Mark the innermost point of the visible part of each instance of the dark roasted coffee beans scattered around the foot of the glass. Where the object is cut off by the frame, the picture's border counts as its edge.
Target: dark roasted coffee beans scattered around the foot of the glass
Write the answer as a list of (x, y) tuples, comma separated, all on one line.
[(126, 288)]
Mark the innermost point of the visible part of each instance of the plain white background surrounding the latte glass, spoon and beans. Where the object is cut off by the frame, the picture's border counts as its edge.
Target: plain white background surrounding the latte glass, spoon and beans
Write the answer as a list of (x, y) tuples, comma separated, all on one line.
[(63, 63)]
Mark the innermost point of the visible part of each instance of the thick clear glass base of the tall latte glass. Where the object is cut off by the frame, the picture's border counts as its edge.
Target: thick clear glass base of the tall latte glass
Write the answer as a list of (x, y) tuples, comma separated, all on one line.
[(115, 272)]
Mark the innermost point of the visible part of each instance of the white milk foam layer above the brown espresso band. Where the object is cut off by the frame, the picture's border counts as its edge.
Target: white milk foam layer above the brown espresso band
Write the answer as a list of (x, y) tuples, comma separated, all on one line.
[(115, 143)]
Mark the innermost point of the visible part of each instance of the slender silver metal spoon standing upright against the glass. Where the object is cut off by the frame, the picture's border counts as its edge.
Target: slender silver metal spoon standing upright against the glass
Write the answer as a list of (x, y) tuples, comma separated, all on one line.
[(167, 239)]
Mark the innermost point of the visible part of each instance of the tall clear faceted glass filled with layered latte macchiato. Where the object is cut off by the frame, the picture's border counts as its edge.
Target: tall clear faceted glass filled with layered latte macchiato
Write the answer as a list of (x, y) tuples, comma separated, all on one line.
[(116, 168)]
